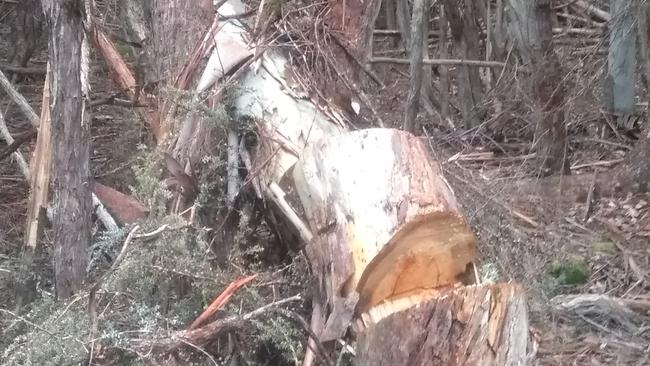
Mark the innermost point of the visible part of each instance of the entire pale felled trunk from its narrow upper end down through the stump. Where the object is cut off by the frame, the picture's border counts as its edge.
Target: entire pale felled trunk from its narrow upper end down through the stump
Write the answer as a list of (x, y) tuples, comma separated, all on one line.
[(385, 235)]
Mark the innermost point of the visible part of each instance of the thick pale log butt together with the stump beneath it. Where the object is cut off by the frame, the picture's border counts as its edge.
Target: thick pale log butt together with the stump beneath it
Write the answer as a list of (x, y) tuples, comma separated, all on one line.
[(390, 234)]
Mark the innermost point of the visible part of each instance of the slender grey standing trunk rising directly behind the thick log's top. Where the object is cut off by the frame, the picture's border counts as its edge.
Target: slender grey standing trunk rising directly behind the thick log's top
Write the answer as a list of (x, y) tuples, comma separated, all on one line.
[(416, 71)]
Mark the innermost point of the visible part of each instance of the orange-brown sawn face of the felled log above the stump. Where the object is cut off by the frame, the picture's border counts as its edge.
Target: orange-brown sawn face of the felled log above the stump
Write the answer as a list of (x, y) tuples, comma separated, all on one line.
[(431, 252)]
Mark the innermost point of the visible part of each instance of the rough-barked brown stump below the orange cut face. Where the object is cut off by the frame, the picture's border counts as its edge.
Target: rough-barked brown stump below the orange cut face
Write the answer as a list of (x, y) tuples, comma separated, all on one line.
[(478, 325)]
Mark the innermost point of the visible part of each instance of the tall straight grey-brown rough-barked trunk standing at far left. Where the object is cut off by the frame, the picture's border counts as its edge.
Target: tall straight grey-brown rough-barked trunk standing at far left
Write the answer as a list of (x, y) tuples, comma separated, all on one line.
[(70, 139)]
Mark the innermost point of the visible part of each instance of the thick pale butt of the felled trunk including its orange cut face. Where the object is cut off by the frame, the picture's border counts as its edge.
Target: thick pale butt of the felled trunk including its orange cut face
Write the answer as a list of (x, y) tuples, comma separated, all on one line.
[(356, 210)]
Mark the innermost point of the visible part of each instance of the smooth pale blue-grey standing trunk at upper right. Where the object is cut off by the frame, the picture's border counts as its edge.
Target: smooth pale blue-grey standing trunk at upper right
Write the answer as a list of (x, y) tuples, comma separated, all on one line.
[(621, 60)]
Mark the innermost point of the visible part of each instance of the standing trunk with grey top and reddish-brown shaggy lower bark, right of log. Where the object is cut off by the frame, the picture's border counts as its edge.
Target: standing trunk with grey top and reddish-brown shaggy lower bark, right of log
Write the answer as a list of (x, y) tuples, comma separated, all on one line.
[(532, 30)]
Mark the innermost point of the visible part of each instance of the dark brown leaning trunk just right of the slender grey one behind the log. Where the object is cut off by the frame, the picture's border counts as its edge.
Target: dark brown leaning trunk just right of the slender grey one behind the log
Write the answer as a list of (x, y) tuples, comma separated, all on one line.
[(462, 17)]
